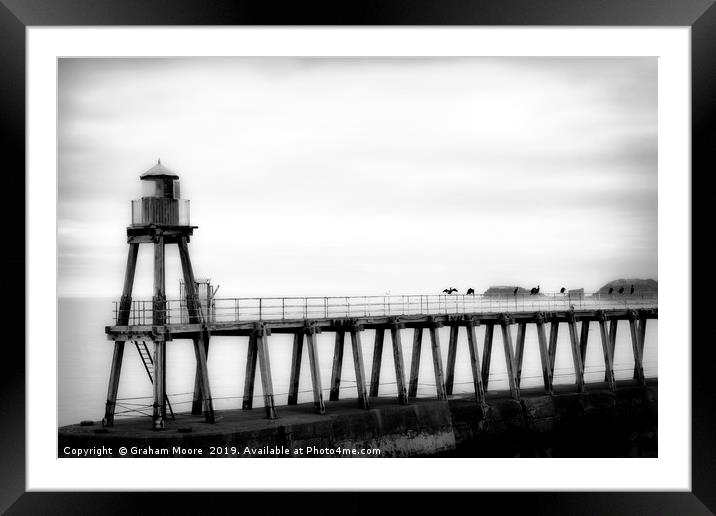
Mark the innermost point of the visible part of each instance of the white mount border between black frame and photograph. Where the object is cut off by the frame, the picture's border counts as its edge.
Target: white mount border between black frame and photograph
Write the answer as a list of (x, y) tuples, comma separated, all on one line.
[(670, 471)]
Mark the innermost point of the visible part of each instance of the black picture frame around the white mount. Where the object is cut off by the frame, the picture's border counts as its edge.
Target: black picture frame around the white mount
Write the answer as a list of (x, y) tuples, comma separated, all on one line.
[(17, 15)]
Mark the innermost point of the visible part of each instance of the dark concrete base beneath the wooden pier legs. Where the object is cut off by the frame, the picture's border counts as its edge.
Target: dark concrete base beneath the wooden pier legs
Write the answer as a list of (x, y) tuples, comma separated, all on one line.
[(596, 423)]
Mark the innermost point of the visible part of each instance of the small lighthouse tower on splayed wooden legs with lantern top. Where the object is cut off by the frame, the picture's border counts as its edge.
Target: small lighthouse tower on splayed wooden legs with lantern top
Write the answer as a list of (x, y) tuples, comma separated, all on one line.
[(161, 217)]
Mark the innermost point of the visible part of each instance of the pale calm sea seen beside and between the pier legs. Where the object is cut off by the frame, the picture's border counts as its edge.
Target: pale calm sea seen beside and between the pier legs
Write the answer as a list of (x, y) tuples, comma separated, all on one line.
[(85, 355)]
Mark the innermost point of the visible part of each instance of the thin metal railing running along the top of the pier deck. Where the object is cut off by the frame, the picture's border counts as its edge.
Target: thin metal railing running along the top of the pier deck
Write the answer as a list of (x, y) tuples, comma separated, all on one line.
[(291, 308)]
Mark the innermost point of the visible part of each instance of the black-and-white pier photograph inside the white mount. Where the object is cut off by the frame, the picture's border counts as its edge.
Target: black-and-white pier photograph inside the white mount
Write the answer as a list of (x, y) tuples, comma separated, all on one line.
[(357, 257)]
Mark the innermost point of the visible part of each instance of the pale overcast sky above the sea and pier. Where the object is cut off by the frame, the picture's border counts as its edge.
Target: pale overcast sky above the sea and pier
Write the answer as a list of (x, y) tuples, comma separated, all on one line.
[(315, 176)]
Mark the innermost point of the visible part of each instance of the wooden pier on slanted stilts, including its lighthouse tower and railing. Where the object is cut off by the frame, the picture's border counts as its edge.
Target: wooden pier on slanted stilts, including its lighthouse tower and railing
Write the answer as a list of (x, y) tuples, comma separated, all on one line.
[(162, 321)]
